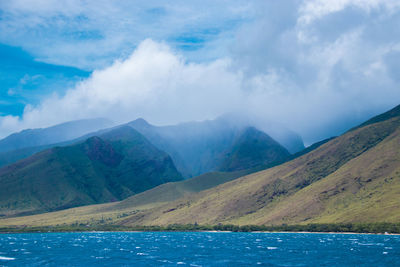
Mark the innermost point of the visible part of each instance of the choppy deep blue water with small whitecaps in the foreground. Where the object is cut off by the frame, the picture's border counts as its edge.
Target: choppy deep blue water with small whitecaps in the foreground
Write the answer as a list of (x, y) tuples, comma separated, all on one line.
[(198, 249)]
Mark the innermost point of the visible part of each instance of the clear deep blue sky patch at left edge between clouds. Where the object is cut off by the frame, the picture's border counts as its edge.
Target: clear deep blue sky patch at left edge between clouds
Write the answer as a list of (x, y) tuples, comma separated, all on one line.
[(26, 81)]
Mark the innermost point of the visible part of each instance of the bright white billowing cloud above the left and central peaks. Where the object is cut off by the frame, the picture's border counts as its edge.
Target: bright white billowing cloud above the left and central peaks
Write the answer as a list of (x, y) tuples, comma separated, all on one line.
[(153, 82)]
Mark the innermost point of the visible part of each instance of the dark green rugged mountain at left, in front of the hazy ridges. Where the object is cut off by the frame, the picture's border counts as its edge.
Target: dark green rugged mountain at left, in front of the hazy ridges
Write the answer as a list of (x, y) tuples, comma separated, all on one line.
[(100, 169)]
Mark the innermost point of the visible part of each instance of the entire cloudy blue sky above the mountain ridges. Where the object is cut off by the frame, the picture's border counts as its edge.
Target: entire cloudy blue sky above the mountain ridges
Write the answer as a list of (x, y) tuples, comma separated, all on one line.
[(318, 67)]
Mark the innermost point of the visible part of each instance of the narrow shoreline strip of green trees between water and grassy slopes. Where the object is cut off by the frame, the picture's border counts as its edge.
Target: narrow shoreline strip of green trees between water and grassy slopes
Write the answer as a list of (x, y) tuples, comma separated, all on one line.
[(349, 228)]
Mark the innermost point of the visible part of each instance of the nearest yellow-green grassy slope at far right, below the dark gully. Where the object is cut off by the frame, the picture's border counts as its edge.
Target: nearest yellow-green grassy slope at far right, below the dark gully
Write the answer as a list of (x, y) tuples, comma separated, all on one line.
[(366, 189)]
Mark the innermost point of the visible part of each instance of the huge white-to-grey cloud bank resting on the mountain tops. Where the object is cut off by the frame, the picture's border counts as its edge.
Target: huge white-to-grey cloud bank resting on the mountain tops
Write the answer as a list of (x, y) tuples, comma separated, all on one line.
[(317, 67)]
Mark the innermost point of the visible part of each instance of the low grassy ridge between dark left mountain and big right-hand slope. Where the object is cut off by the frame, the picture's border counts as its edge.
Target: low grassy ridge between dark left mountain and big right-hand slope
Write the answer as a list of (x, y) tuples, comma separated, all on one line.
[(152, 198)]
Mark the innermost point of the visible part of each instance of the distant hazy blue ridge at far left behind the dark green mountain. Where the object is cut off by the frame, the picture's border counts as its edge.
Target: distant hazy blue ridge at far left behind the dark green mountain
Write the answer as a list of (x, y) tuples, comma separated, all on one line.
[(55, 134)]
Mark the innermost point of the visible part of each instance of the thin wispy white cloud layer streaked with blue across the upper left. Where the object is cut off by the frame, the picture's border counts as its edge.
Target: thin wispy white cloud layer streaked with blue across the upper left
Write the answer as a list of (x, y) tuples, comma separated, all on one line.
[(91, 34)]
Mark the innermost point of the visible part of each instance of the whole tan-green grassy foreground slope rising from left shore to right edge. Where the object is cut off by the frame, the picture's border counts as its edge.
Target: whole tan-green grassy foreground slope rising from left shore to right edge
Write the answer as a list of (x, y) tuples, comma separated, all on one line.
[(354, 177)]
